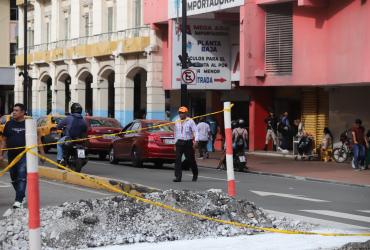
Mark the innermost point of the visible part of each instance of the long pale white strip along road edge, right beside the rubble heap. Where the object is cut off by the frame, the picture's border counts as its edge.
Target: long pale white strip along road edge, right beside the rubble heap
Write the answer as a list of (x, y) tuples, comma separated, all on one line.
[(323, 223)]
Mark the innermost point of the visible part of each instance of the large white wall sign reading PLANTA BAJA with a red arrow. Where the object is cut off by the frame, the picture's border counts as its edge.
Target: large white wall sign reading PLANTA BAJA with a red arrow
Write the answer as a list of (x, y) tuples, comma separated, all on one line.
[(209, 46)]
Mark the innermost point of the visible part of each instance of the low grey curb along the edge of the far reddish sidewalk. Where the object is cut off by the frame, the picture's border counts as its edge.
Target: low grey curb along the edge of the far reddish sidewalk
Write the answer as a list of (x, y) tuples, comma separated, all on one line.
[(301, 178)]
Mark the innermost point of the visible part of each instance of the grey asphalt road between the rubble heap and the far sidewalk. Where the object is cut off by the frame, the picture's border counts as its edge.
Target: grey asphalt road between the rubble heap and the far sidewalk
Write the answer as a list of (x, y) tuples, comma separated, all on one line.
[(334, 203)]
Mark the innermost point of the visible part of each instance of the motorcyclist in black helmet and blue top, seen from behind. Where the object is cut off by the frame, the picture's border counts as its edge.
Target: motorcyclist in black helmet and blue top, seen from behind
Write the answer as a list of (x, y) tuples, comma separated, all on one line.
[(74, 127)]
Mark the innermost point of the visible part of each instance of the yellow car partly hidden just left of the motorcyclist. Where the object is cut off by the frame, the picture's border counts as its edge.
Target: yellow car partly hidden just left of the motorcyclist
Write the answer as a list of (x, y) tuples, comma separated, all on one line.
[(47, 128)]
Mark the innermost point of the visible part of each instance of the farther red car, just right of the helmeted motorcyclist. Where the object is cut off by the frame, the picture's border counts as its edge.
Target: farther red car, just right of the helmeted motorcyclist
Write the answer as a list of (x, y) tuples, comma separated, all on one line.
[(101, 126)]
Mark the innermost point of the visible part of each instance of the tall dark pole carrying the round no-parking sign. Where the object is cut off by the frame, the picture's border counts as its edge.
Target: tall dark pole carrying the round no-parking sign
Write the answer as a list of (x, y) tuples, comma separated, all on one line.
[(184, 55)]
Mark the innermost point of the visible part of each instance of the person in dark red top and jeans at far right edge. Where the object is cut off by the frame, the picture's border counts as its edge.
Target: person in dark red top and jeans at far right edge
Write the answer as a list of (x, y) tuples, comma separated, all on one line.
[(359, 145)]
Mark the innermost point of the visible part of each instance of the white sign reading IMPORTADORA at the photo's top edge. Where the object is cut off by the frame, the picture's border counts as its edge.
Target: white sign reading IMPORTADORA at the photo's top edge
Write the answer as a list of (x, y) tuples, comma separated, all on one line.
[(195, 7)]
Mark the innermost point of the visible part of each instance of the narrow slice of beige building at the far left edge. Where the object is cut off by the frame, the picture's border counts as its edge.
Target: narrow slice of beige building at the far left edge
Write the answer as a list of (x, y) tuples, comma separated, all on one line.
[(8, 49)]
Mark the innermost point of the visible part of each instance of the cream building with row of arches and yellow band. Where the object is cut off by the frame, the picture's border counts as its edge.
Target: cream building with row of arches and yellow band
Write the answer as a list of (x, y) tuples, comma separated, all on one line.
[(97, 53)]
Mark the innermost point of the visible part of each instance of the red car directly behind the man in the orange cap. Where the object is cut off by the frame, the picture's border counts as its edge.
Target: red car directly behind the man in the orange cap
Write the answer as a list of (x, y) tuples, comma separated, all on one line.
[(155, 145)]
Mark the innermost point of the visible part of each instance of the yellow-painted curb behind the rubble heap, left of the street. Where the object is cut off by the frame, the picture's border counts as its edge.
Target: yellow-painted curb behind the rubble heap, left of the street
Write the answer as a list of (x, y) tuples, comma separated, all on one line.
[(70, 178)]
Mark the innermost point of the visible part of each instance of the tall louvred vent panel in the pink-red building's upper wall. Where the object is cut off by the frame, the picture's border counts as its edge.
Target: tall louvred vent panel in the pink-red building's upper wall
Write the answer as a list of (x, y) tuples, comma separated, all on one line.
[(279, 39)]
